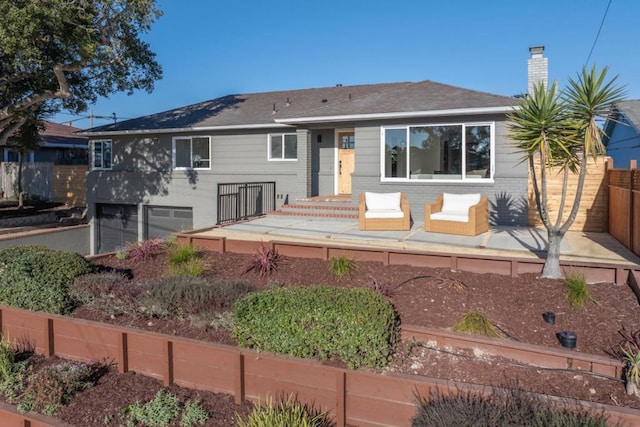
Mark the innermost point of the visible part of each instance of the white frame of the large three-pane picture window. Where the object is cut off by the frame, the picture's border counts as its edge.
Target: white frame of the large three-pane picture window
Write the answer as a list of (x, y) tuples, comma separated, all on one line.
[(464, 179)]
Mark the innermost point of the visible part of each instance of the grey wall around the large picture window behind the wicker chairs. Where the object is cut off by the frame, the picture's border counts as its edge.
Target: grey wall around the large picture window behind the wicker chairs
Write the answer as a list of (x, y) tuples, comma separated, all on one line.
[(507, 193)]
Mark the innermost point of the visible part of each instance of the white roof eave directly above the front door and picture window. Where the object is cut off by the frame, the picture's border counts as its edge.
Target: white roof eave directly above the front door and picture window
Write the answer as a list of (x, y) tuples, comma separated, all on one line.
[(398, 115)]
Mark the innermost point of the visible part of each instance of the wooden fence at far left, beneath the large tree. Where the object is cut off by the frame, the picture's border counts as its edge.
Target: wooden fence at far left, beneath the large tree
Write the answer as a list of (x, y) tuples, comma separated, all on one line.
[(59, 183)]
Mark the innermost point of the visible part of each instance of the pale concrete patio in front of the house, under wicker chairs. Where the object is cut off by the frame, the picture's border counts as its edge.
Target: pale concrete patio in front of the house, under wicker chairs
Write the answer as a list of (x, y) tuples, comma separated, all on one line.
[(500, 241)]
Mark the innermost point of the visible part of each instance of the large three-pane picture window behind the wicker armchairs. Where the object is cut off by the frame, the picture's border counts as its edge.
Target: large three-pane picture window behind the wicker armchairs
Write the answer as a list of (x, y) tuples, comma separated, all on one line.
[(446, 152)]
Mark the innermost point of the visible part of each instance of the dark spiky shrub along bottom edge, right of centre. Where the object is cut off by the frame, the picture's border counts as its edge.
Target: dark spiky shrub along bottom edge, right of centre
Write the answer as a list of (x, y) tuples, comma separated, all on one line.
[(508, 408)]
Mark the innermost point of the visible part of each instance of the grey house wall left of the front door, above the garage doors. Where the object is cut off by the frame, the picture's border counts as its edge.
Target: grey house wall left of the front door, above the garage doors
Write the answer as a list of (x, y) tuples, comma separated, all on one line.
[(142, 174)]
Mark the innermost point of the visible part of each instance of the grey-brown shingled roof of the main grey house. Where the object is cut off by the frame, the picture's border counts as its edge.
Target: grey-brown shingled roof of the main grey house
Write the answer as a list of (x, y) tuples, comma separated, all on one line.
[(275, 109)]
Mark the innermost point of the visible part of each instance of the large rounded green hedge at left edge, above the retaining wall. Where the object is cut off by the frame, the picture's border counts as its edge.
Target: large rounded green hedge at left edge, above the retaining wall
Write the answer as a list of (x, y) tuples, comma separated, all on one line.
[(38, 278)]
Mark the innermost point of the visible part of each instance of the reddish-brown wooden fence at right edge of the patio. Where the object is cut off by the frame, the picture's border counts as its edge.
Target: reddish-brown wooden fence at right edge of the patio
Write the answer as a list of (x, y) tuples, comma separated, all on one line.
[(624, 206)]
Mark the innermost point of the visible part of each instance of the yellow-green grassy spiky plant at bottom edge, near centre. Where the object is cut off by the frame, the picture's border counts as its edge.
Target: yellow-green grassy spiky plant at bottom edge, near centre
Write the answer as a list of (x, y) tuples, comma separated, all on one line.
[(285, 413)]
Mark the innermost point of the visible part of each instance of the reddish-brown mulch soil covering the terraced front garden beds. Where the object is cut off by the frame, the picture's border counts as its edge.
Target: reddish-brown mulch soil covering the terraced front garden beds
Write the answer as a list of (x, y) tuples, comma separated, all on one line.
[(435, 298)]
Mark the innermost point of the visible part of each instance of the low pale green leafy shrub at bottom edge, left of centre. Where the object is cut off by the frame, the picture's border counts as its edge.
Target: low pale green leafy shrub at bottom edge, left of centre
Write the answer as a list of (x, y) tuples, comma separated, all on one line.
[(164, 410)]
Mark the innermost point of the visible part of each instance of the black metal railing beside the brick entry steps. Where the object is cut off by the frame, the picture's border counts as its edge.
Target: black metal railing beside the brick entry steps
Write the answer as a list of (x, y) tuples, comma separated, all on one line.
[(238, 201)]
